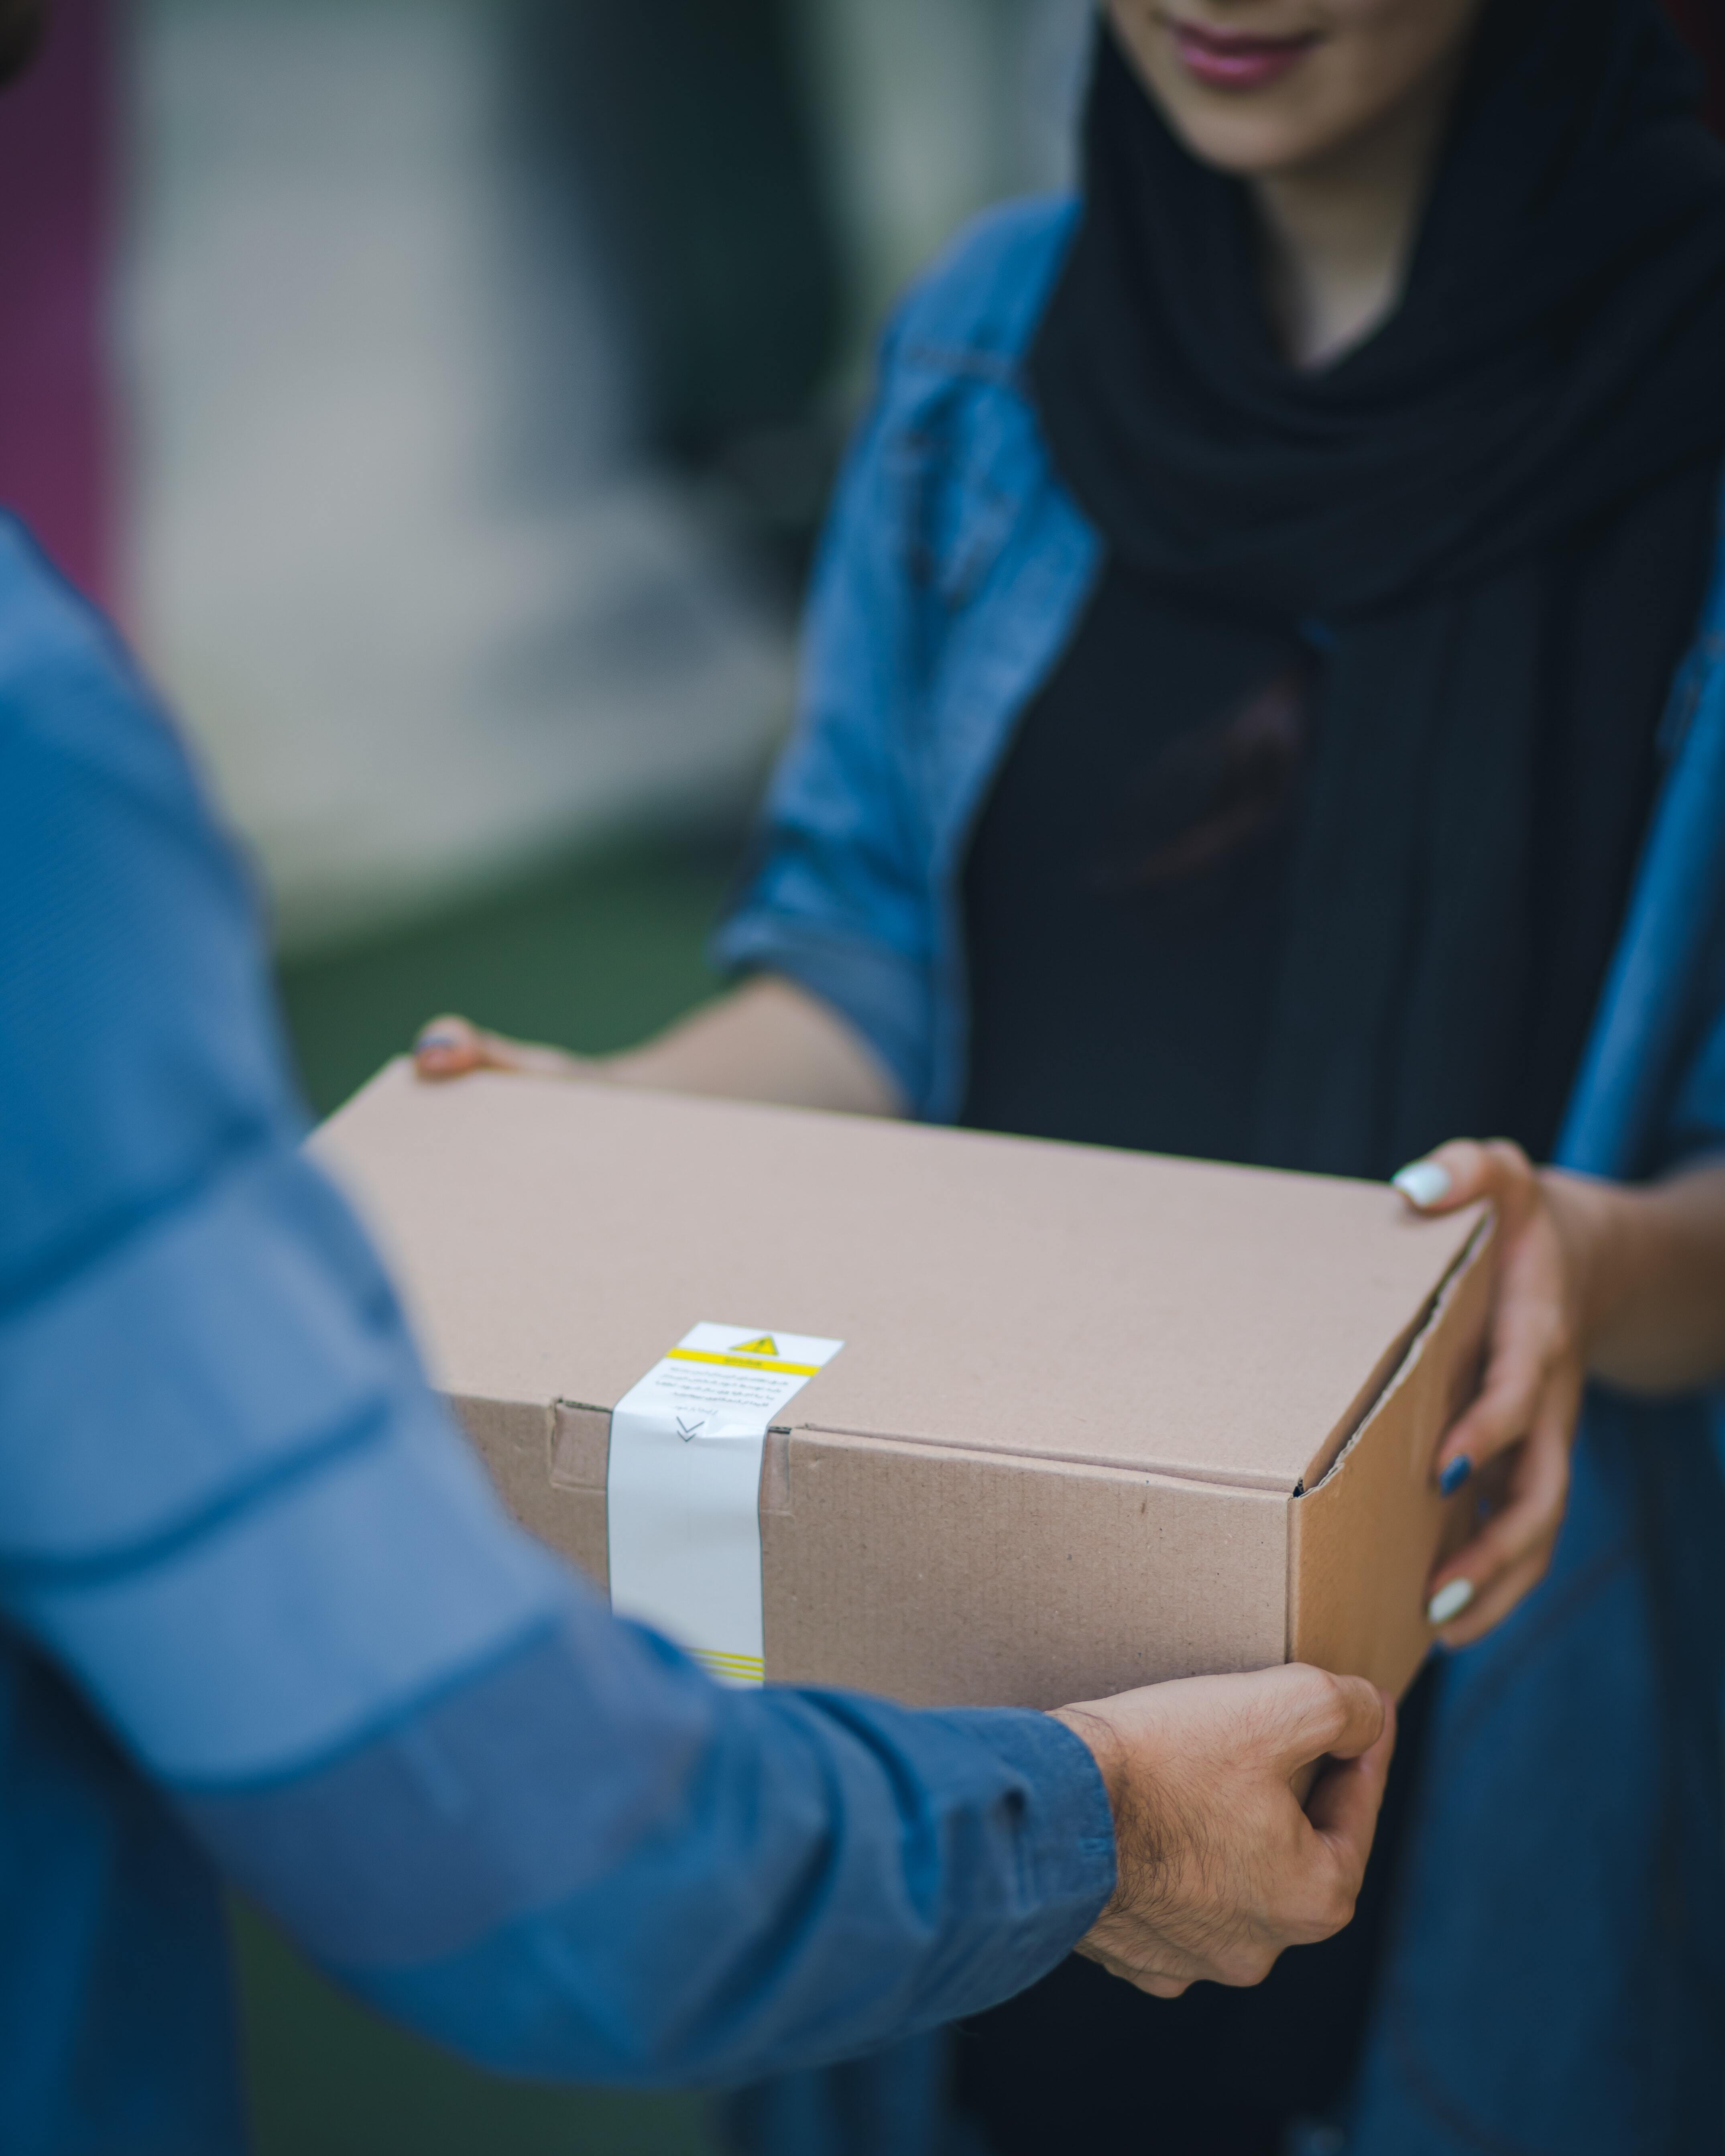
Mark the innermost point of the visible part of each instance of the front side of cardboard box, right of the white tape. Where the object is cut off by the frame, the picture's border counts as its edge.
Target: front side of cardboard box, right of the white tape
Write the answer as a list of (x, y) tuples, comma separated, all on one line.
[(974, 1579)]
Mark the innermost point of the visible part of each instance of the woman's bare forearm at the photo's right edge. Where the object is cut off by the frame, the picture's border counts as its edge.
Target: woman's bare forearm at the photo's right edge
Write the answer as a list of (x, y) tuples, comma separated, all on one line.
[(1653, 1267)]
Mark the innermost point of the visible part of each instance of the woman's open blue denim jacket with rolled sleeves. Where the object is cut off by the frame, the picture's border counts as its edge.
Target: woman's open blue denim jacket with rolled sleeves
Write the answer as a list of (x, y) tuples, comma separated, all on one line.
[(1558, 1961)]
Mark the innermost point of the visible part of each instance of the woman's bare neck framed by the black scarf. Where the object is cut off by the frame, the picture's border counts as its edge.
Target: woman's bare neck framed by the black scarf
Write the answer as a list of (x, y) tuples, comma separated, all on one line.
[(1340, 234)]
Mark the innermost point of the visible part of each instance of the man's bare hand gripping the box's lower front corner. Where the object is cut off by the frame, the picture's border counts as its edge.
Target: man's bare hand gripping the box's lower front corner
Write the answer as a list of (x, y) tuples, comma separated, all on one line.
[(1219, 1862)]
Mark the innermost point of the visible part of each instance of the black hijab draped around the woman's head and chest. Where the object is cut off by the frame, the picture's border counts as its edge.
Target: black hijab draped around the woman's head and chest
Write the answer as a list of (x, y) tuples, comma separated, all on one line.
[(1495, 516)]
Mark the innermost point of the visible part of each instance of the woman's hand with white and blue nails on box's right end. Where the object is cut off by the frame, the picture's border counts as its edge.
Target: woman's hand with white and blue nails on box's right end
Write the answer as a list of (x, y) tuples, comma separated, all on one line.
[(1536, 1368)]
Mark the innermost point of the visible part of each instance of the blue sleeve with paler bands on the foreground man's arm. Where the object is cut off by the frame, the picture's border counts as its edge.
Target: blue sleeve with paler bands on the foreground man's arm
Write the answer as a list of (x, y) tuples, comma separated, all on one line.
[(236, 1517)]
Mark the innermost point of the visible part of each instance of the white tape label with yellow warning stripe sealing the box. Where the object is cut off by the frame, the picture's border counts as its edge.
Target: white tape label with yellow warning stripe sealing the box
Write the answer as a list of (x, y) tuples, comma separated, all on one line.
[(685, 1489)]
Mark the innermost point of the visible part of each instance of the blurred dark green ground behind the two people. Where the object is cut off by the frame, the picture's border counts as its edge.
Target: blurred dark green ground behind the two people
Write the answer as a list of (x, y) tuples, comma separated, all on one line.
[(592, 954)]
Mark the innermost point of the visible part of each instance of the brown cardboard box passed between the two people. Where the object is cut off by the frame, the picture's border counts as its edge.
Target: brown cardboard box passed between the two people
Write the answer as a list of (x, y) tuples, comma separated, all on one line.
[(1099, 1420)]
